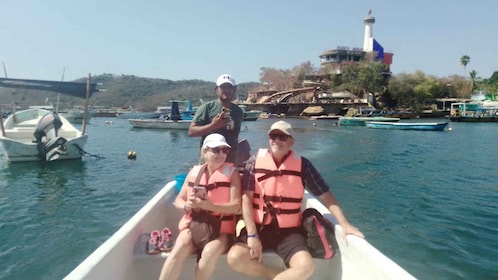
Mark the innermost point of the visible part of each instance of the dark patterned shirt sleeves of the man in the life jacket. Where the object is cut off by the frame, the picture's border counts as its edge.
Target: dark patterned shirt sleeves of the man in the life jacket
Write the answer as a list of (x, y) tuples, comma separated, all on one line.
[(312, 180)]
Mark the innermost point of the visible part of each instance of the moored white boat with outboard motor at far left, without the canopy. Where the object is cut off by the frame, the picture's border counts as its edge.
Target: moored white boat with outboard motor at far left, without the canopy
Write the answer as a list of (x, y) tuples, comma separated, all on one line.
[(37, 134)]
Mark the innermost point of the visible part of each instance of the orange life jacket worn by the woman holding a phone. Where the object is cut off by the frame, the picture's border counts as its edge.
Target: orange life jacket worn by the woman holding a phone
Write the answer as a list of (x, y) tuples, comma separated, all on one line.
[(218, 191)]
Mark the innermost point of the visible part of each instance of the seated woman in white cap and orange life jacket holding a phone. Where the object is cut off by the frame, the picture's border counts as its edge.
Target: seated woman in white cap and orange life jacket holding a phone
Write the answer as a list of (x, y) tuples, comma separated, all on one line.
[(222, 199)]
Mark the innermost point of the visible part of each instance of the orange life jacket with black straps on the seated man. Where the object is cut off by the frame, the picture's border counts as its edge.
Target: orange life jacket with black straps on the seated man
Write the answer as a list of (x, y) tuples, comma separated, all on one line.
[(279, 191)]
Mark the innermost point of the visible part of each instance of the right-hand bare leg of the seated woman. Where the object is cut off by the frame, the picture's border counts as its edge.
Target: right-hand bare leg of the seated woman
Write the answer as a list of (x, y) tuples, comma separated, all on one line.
[(209, 257)]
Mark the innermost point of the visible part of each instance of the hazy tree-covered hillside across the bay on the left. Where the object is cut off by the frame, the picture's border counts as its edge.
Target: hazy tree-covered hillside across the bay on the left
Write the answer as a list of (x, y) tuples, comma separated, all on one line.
[(127, 90)]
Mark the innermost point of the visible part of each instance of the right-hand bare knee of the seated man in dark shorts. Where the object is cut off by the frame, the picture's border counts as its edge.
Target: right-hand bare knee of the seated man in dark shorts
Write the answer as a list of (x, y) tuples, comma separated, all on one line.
[(301, 267)]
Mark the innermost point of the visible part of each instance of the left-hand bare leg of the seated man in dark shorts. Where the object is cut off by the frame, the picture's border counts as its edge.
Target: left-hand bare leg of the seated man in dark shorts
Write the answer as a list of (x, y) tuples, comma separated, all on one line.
[(239, 260)]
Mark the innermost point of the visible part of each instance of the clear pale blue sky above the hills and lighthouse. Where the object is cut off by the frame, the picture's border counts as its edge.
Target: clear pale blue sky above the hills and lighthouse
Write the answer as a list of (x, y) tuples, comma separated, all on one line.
[(186, 39)]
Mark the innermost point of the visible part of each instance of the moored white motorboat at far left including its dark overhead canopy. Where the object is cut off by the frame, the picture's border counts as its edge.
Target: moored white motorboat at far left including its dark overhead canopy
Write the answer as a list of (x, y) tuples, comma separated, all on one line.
[(36, 134)]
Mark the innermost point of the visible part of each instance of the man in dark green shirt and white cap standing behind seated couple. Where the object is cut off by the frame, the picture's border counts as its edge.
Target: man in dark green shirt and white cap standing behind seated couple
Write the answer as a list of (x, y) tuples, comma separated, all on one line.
[(220, 116)]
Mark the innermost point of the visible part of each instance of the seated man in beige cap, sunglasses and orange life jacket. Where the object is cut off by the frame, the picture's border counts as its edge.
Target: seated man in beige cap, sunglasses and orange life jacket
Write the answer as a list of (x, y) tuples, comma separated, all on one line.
[(273, 190)]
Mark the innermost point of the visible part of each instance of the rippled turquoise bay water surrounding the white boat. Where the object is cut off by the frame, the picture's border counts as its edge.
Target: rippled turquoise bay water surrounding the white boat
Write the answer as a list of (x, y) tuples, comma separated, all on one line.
[(428, 200)]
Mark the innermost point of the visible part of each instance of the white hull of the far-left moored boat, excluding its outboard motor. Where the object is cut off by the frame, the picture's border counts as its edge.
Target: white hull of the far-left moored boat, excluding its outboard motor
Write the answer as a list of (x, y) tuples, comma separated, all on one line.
[(18, 141)]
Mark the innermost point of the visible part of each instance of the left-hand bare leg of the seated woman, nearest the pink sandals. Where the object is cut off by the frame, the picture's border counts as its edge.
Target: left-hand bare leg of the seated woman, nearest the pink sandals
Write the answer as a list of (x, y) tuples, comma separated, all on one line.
[(174, 263)]
